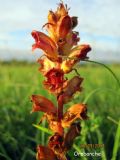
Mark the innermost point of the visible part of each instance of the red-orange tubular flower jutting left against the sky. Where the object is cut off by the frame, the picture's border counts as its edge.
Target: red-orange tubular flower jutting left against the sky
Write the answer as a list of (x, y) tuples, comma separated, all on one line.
[(45, 43)]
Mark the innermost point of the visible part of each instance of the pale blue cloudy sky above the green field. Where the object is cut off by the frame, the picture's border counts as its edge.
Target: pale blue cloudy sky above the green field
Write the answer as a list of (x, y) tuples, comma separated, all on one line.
[(99, 26)]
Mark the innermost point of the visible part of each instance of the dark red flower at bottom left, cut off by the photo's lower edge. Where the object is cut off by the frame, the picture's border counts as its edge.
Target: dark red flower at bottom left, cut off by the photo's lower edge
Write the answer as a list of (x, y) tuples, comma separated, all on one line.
[(45, 153)]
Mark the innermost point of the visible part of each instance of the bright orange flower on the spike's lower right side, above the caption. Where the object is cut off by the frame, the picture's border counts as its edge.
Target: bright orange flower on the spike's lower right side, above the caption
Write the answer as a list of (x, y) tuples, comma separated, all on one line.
[(77, 111)]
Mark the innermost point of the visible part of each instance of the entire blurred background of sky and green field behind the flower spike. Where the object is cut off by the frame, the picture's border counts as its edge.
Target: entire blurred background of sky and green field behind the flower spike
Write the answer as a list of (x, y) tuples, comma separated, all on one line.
[(99, 26)]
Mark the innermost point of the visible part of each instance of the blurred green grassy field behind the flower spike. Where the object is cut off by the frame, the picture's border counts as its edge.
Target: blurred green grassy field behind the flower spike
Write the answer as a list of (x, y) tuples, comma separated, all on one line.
[(18, 136)]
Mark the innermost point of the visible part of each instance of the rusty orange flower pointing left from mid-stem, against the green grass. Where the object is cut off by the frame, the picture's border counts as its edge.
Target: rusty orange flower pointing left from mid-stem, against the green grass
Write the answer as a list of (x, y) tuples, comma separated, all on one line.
[(43, 104)]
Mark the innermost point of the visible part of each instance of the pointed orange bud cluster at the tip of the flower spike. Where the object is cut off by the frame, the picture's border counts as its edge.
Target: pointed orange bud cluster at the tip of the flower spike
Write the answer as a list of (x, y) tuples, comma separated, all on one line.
[(59, 23)]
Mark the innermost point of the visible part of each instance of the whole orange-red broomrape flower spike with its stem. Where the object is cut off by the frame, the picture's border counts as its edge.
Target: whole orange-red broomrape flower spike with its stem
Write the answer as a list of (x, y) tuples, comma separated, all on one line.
[(61, 53)]
